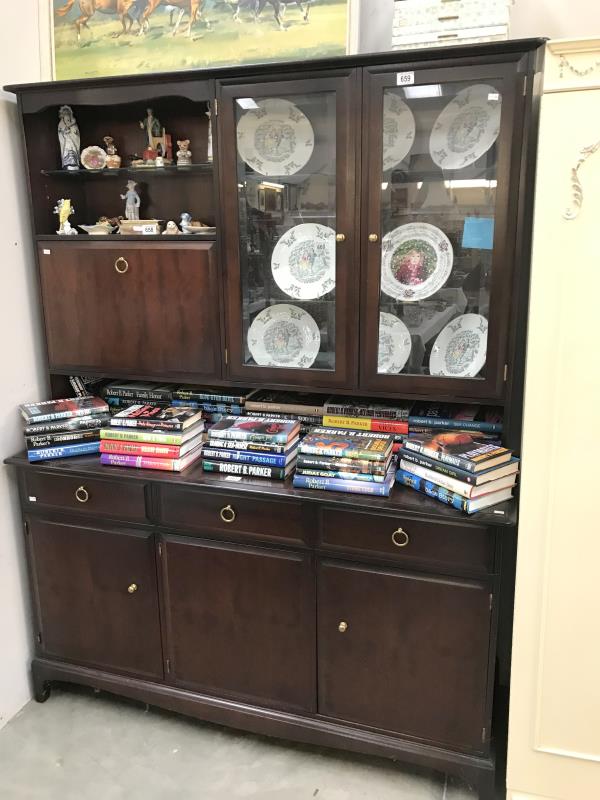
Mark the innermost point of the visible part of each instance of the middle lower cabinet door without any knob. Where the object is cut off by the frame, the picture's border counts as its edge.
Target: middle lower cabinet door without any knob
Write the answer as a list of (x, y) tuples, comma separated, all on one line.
[(241, 621)]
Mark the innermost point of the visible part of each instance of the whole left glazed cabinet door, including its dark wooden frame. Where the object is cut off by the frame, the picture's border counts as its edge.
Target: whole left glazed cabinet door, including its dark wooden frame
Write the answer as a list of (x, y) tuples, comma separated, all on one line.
[(288, 189)]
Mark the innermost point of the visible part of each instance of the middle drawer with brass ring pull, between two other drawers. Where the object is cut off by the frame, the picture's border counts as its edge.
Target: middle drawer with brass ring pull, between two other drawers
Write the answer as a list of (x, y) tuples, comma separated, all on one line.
[(232, 514)]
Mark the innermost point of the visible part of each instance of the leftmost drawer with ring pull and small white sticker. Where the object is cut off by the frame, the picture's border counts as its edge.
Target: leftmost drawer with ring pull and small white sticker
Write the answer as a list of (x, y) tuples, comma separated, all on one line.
[(109, 498)]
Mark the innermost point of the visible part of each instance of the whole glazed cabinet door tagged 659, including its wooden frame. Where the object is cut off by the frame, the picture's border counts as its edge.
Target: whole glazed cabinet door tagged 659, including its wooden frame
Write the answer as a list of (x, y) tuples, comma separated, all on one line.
[(438, 229)]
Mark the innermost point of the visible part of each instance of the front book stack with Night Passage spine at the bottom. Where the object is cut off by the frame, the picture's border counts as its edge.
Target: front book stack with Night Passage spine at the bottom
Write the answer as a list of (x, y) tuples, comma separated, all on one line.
[(252, 447)]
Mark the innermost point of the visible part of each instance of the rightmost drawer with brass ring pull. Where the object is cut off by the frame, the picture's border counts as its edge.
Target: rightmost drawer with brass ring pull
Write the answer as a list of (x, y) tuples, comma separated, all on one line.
[(436, 545)]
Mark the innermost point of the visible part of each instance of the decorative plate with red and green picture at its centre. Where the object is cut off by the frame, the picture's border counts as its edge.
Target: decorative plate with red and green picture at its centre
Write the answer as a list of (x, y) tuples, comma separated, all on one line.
[(416, 260)]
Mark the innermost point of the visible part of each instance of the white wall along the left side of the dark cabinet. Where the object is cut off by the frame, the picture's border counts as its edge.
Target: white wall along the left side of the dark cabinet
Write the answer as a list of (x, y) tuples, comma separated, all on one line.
[(21, 366)]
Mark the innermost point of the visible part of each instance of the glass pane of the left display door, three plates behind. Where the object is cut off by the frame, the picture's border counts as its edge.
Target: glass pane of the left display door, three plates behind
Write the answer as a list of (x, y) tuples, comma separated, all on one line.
[(286, 171)]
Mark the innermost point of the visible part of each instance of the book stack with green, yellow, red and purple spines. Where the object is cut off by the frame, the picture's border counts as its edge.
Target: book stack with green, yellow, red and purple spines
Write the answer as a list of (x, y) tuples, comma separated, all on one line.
[(153, 437)]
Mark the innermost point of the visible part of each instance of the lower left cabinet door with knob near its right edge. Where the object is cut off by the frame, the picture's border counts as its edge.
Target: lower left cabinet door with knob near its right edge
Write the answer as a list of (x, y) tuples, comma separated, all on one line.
[(97, 596)]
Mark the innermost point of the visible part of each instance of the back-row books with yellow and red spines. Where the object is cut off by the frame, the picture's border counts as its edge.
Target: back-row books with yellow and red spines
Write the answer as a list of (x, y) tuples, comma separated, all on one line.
[(378, 416)]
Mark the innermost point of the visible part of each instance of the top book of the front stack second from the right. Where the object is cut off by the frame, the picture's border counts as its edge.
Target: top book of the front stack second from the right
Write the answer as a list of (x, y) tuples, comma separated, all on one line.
[(362, 445)]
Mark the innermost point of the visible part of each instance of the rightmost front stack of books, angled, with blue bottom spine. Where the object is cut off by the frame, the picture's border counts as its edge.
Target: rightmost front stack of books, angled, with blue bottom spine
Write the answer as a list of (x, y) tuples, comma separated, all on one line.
[(459, 469)]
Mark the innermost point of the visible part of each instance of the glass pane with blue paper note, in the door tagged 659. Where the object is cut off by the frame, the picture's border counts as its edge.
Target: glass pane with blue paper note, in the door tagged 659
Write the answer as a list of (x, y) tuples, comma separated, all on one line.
[(438, 200)]
